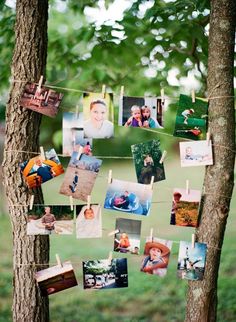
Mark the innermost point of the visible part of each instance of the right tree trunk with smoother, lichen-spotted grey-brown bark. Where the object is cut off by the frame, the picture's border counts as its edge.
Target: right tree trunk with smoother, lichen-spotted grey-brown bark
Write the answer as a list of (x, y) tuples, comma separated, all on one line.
[(219, 178)]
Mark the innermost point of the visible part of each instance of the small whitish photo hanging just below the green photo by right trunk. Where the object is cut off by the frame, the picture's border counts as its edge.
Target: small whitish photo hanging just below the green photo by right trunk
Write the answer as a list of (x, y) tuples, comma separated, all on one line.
[(195, 153)]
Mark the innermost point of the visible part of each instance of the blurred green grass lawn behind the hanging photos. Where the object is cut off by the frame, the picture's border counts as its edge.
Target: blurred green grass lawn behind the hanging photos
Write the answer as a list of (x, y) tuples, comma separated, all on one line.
[(148, 298)]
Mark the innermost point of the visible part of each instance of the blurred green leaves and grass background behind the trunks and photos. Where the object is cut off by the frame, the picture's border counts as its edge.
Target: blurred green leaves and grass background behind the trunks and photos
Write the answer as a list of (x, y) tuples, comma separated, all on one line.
[(145, 46)]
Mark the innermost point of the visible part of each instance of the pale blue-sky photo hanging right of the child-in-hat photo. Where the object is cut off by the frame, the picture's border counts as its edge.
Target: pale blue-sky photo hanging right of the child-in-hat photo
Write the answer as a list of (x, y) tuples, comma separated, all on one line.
[(191, 261)]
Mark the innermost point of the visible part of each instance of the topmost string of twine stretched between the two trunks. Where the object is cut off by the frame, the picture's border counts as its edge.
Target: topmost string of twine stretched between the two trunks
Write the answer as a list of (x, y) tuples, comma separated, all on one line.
[(83, 91)]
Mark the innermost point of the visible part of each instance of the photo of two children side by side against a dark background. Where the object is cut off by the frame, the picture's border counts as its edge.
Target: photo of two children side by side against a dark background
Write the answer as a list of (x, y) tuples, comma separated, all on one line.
[(146, 112)]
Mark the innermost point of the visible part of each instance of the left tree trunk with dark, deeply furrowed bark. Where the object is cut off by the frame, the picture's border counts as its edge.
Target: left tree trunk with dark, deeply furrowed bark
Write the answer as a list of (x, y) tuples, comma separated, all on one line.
[(22, 134)]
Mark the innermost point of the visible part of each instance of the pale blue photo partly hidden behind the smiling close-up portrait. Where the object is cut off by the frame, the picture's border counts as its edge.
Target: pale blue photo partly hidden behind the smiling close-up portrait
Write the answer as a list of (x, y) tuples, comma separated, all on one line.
[(73, 135)]
